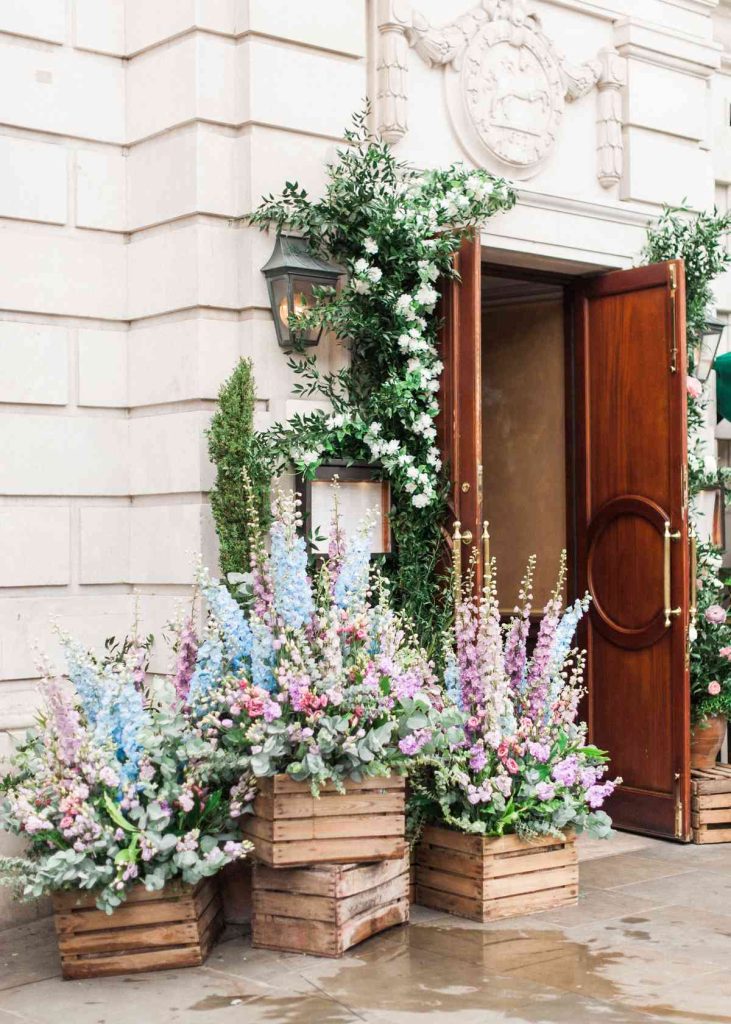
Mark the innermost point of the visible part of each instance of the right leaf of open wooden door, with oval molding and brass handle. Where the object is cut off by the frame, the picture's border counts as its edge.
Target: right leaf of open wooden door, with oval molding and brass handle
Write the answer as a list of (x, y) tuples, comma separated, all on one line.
[(633, 537)]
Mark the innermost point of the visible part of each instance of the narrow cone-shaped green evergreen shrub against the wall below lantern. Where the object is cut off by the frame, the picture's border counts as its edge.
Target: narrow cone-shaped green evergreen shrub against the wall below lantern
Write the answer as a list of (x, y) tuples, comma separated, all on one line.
[(236, 451)]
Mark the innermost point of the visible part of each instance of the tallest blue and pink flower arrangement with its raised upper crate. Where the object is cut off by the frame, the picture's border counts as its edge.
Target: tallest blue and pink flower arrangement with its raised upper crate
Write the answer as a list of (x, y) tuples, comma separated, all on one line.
[(316, 689)]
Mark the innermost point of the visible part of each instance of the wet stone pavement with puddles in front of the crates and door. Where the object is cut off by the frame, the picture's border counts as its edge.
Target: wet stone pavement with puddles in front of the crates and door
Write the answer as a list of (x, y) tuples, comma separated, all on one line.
[(651, 941)]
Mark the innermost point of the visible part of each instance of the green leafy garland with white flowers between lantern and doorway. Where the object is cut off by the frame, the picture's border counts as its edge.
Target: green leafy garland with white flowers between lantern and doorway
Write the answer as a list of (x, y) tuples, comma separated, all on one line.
[(396, 231)]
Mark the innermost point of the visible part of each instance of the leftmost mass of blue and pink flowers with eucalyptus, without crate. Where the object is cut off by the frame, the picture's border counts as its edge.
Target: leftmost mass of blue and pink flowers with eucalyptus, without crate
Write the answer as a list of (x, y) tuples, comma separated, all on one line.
[(112, 790)]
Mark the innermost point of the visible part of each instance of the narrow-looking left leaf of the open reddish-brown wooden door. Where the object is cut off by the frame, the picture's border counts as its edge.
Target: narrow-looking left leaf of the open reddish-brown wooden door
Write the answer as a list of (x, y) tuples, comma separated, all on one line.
[(460, 422)]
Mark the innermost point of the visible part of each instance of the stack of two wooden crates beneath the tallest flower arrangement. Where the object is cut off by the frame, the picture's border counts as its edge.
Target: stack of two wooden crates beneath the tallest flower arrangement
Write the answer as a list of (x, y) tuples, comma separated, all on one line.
[(331, 871)]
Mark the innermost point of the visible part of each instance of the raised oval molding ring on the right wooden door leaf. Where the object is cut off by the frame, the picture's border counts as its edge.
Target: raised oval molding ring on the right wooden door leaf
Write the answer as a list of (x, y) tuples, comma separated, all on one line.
[(642, 634)]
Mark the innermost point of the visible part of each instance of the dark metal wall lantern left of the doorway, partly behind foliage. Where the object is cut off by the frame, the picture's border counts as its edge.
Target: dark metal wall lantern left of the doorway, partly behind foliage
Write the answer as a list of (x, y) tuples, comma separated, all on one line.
[(292, 273)]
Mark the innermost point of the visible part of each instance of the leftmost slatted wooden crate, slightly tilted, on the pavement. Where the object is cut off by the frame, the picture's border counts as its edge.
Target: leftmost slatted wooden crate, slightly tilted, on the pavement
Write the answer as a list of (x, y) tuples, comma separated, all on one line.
[(149, 932)]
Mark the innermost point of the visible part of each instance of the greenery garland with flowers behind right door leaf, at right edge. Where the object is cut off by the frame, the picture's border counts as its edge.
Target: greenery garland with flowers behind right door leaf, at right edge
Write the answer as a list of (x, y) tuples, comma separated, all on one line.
[(700, 240)]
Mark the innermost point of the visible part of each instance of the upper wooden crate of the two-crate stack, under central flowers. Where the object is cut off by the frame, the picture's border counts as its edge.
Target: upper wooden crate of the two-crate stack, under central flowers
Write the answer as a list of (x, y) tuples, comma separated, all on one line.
[(292, 829)]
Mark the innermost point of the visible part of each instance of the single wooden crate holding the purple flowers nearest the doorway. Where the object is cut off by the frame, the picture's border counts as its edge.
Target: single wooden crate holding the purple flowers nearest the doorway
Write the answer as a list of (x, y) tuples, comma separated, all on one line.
[(489, 879)]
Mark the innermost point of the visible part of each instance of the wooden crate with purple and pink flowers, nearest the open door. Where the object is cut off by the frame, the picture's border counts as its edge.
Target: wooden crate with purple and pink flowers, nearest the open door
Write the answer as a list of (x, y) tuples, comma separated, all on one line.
[(523, 780)]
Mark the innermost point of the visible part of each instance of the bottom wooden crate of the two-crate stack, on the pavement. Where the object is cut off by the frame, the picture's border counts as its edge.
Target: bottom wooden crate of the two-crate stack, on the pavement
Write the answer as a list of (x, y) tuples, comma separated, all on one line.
[(327, 910)]
